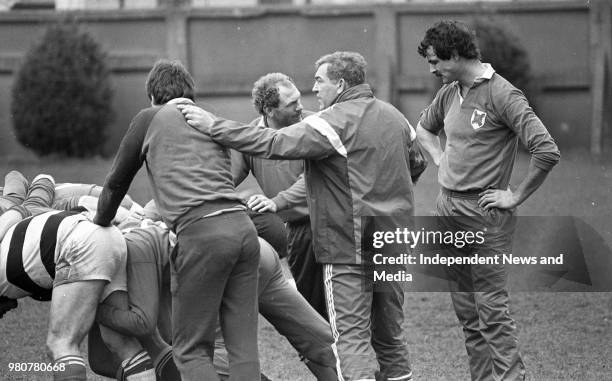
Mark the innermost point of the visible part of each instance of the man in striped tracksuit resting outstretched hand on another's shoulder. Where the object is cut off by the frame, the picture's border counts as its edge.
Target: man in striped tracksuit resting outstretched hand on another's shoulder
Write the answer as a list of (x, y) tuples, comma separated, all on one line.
[(357, 153)]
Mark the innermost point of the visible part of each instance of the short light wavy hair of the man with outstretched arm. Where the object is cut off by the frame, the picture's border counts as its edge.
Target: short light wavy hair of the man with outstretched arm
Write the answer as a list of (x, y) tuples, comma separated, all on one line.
[(350, 66)]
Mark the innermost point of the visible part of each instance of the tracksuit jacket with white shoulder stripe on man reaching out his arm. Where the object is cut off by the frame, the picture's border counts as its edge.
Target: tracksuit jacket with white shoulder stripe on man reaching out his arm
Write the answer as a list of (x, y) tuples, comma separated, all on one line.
[(356, 164)]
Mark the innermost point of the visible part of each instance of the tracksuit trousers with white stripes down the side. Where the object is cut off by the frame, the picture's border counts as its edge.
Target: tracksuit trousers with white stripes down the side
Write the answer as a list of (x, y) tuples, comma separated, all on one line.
[(366, 325)]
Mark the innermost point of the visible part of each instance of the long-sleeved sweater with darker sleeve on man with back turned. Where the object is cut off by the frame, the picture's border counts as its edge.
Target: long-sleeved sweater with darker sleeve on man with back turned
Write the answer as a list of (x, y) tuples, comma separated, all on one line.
[(189, 173)]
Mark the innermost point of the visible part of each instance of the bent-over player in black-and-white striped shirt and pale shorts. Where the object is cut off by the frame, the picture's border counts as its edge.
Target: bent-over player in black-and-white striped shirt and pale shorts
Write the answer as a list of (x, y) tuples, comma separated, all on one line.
[(63, 257)]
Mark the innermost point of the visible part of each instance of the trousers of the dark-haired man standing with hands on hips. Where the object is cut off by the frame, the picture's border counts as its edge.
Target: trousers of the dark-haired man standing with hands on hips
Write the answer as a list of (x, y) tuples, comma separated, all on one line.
[(479, 293)]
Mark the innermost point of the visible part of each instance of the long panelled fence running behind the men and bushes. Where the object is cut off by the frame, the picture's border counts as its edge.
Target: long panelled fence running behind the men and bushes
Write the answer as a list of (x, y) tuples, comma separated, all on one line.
[(569, 46)]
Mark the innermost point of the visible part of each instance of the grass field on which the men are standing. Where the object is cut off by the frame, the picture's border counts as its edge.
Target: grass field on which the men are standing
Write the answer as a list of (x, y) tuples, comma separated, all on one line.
[(563, 336)]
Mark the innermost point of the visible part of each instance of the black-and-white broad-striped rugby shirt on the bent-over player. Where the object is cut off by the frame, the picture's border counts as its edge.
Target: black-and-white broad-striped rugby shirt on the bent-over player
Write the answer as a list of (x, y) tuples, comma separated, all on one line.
[(29, 251)]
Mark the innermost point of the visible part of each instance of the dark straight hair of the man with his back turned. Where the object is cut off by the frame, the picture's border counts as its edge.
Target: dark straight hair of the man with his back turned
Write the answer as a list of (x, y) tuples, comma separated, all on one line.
[(169, 79)]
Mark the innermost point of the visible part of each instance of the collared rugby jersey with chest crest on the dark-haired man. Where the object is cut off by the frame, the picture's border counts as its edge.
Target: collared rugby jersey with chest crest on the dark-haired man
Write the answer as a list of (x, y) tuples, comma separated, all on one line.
[(482, 133)]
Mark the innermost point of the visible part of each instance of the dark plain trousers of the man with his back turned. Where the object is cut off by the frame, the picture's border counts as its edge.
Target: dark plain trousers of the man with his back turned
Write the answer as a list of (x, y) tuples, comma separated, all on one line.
[(214, 278)]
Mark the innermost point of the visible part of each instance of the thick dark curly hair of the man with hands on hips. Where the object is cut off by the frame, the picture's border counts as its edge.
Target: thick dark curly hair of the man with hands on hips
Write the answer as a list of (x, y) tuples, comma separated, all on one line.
[(448, 37)]
